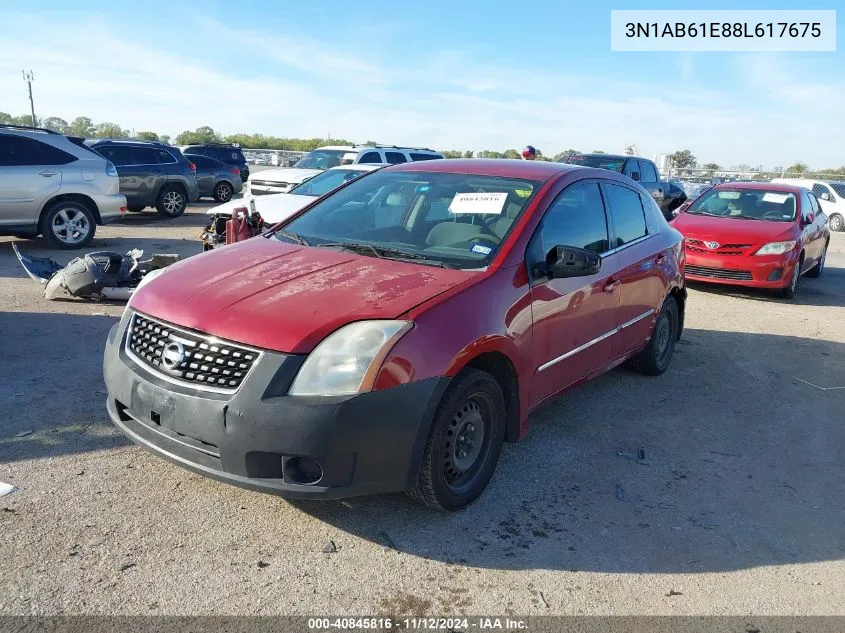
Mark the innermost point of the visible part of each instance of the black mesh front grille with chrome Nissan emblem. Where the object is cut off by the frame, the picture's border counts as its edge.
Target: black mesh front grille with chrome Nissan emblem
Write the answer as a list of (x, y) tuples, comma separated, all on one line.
[(195, 359)]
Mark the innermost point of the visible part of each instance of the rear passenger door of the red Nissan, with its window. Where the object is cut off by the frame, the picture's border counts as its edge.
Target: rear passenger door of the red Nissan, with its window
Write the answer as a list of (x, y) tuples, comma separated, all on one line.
[(638, 280)]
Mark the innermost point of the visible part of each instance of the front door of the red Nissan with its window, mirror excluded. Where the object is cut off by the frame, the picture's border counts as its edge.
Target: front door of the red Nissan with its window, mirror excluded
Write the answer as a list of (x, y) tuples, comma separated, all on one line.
[(573, 319)]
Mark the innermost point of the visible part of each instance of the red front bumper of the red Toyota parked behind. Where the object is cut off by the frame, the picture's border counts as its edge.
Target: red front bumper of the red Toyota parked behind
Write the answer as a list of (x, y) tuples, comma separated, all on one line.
[(758, 271)]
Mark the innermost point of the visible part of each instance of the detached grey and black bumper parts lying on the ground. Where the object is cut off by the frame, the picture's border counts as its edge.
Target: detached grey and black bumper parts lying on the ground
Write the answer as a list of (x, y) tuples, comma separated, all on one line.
[(100, 275)]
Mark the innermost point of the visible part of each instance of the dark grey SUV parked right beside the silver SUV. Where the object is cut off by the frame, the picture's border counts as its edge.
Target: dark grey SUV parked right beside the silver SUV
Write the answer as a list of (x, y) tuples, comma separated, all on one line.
[(151, 174)]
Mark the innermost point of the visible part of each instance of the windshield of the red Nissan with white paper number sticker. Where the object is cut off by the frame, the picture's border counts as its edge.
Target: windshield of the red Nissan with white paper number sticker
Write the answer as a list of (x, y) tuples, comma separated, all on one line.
[(434, 218)]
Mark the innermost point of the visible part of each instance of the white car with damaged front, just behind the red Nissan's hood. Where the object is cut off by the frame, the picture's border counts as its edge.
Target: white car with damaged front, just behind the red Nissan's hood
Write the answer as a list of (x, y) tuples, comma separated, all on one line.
[(279, 206)]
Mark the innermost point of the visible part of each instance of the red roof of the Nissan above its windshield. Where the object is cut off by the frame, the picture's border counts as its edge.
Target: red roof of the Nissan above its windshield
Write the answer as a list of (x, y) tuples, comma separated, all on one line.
[(504, 167)]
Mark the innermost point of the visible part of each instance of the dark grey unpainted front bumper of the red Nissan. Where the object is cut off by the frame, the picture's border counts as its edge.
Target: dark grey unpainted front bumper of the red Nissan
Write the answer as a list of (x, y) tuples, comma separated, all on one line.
[(258, 438)]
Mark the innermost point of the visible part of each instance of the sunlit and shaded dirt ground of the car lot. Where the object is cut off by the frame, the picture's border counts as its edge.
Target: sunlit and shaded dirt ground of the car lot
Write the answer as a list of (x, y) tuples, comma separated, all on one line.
[(738, 505)]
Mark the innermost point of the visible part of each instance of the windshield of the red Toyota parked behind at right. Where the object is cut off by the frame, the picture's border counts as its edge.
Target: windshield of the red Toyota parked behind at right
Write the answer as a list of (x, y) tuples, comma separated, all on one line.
[(746, 204)]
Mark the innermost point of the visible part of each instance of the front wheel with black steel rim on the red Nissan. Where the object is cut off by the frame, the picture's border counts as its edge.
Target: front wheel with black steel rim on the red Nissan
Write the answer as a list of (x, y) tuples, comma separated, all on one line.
[(464, 444)]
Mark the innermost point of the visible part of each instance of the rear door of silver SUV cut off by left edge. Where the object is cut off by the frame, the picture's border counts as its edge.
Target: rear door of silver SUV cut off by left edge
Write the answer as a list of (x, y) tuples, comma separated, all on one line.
[(30, 172)]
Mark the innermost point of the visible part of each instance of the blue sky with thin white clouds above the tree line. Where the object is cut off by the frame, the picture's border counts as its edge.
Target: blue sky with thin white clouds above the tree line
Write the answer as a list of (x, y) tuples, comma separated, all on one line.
[(458, 74)]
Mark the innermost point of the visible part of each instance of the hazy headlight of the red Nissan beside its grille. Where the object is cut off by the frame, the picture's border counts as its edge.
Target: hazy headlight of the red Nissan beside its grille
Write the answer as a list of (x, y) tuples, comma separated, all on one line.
[(346, 361)]
